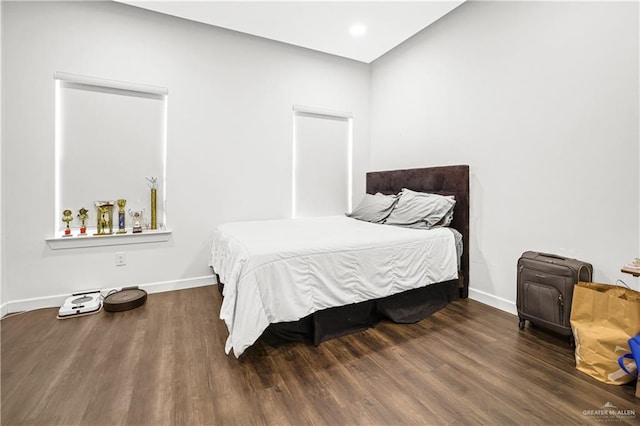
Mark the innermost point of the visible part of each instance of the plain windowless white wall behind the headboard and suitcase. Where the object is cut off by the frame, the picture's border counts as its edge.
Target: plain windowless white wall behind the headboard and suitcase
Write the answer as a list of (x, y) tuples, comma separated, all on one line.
[(541, 100)]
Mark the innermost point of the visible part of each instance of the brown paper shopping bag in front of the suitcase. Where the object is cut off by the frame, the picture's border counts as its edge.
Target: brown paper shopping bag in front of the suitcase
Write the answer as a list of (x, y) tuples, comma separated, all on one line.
[(603, 318)]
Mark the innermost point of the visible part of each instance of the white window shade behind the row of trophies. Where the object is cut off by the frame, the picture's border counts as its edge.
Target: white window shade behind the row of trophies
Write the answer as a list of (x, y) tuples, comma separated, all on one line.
[(109, 138)]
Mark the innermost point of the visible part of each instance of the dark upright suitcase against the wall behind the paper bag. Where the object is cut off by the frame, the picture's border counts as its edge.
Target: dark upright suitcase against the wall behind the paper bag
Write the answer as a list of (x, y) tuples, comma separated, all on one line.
[(545, 289)]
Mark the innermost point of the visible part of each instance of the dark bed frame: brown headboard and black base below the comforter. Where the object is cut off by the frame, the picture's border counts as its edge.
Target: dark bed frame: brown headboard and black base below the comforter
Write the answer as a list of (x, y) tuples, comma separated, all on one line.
[(407, 307)]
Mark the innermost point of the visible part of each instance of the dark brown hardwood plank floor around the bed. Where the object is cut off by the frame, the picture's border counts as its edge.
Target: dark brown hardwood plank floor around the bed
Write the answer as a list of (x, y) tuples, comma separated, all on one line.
[(164, 364)]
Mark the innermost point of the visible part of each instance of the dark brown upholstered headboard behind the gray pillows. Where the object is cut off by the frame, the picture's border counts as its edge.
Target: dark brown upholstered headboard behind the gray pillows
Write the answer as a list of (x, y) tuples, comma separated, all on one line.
[(446, 180)]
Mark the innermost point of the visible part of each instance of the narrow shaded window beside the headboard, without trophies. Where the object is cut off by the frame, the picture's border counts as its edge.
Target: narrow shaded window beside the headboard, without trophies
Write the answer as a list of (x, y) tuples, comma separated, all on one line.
[(322, 151)]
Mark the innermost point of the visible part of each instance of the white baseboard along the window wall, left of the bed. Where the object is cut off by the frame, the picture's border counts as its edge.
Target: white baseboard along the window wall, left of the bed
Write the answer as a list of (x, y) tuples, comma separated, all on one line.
[(57, 300)]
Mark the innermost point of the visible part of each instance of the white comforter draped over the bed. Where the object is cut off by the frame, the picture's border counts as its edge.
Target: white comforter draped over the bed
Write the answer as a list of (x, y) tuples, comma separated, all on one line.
[(284, 270)]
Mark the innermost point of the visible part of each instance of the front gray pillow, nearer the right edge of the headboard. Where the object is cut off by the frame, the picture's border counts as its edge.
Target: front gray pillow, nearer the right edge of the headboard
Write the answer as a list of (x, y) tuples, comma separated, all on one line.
[(421, 210)]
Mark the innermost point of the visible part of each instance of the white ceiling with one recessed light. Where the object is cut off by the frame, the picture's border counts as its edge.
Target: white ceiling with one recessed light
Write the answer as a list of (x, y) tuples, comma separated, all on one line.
[(319, 25)]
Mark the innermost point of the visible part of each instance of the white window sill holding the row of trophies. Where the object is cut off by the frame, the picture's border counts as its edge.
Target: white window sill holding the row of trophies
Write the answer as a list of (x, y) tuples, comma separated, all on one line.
[(89, 240)]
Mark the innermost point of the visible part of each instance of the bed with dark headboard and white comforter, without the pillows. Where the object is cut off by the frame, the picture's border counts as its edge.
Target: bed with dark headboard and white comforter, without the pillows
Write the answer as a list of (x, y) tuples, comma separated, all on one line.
[(319, 278)]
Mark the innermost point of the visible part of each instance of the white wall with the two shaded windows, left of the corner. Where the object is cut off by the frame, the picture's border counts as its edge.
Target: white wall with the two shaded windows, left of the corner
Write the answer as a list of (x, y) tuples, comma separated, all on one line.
[(229, 135)]
